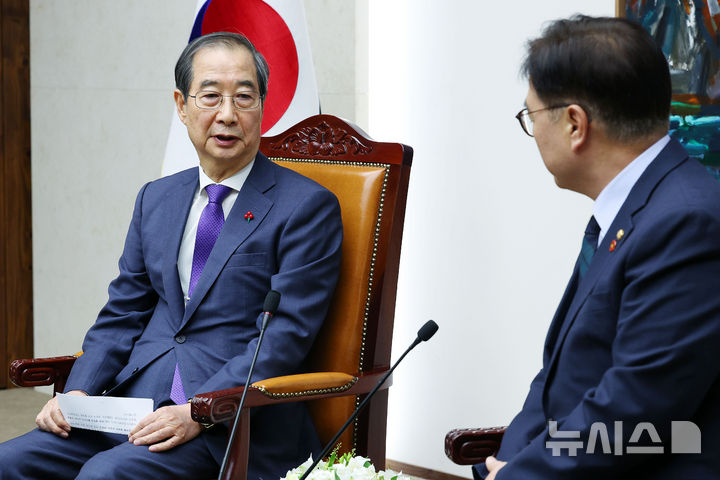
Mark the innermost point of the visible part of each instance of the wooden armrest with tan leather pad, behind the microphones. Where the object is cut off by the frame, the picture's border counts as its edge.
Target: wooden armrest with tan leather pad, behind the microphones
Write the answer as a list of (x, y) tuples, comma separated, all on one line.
[(221, 405)]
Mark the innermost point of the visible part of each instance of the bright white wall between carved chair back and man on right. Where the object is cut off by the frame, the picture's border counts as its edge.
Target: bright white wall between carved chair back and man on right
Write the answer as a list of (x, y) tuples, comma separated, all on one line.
[(489, 240)]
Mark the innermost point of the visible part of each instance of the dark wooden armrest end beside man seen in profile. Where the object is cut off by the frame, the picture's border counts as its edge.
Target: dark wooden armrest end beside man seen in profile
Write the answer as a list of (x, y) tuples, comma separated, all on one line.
[(472, 445)]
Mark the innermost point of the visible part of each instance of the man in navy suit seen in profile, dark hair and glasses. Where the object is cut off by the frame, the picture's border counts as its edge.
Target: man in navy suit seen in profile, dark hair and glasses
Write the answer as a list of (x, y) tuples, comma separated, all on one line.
[(630, 384)]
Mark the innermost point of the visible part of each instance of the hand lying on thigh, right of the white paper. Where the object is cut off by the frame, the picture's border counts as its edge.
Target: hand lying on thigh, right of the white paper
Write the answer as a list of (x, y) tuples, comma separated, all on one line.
[(165, 428)]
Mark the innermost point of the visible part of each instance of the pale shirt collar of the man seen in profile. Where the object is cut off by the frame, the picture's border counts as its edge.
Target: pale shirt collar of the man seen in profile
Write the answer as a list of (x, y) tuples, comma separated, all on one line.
[(608, 203)]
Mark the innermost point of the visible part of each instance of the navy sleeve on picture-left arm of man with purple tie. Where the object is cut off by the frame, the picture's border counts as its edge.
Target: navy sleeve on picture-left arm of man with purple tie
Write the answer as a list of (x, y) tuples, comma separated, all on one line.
[(131, 302)]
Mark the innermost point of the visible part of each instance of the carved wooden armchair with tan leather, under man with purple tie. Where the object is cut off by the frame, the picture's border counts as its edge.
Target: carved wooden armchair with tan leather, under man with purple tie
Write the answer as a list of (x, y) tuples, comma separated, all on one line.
[(352, 351)]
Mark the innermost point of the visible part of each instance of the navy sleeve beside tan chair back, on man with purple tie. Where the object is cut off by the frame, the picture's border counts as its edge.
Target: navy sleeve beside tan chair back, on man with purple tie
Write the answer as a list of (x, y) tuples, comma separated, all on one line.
[(308, 268)]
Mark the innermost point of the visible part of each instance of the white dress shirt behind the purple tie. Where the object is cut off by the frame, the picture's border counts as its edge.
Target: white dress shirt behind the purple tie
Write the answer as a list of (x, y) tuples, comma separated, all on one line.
[(200, 200)]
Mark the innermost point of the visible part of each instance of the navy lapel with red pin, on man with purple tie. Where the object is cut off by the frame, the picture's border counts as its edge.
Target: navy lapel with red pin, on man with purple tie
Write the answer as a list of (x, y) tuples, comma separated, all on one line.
[(236, 229)]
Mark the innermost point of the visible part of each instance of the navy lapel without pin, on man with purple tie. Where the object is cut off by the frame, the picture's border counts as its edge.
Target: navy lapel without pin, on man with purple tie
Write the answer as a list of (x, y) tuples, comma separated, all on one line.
[(176, 207)]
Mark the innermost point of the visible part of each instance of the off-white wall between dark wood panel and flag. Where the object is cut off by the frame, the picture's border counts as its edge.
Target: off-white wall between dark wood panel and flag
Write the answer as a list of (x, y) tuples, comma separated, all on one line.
[(101, 75)]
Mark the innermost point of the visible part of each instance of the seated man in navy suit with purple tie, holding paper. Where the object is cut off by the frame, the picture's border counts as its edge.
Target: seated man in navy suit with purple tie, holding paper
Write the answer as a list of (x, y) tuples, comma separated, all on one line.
[(171, 329)]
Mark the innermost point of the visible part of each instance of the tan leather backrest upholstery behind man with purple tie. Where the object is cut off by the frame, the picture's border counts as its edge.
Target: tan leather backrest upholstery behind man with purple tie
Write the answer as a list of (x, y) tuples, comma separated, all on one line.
[(357, 186)]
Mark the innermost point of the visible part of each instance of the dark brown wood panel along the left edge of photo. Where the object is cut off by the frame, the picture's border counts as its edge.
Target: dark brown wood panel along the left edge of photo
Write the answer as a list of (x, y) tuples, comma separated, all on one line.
[(16, 321)]
